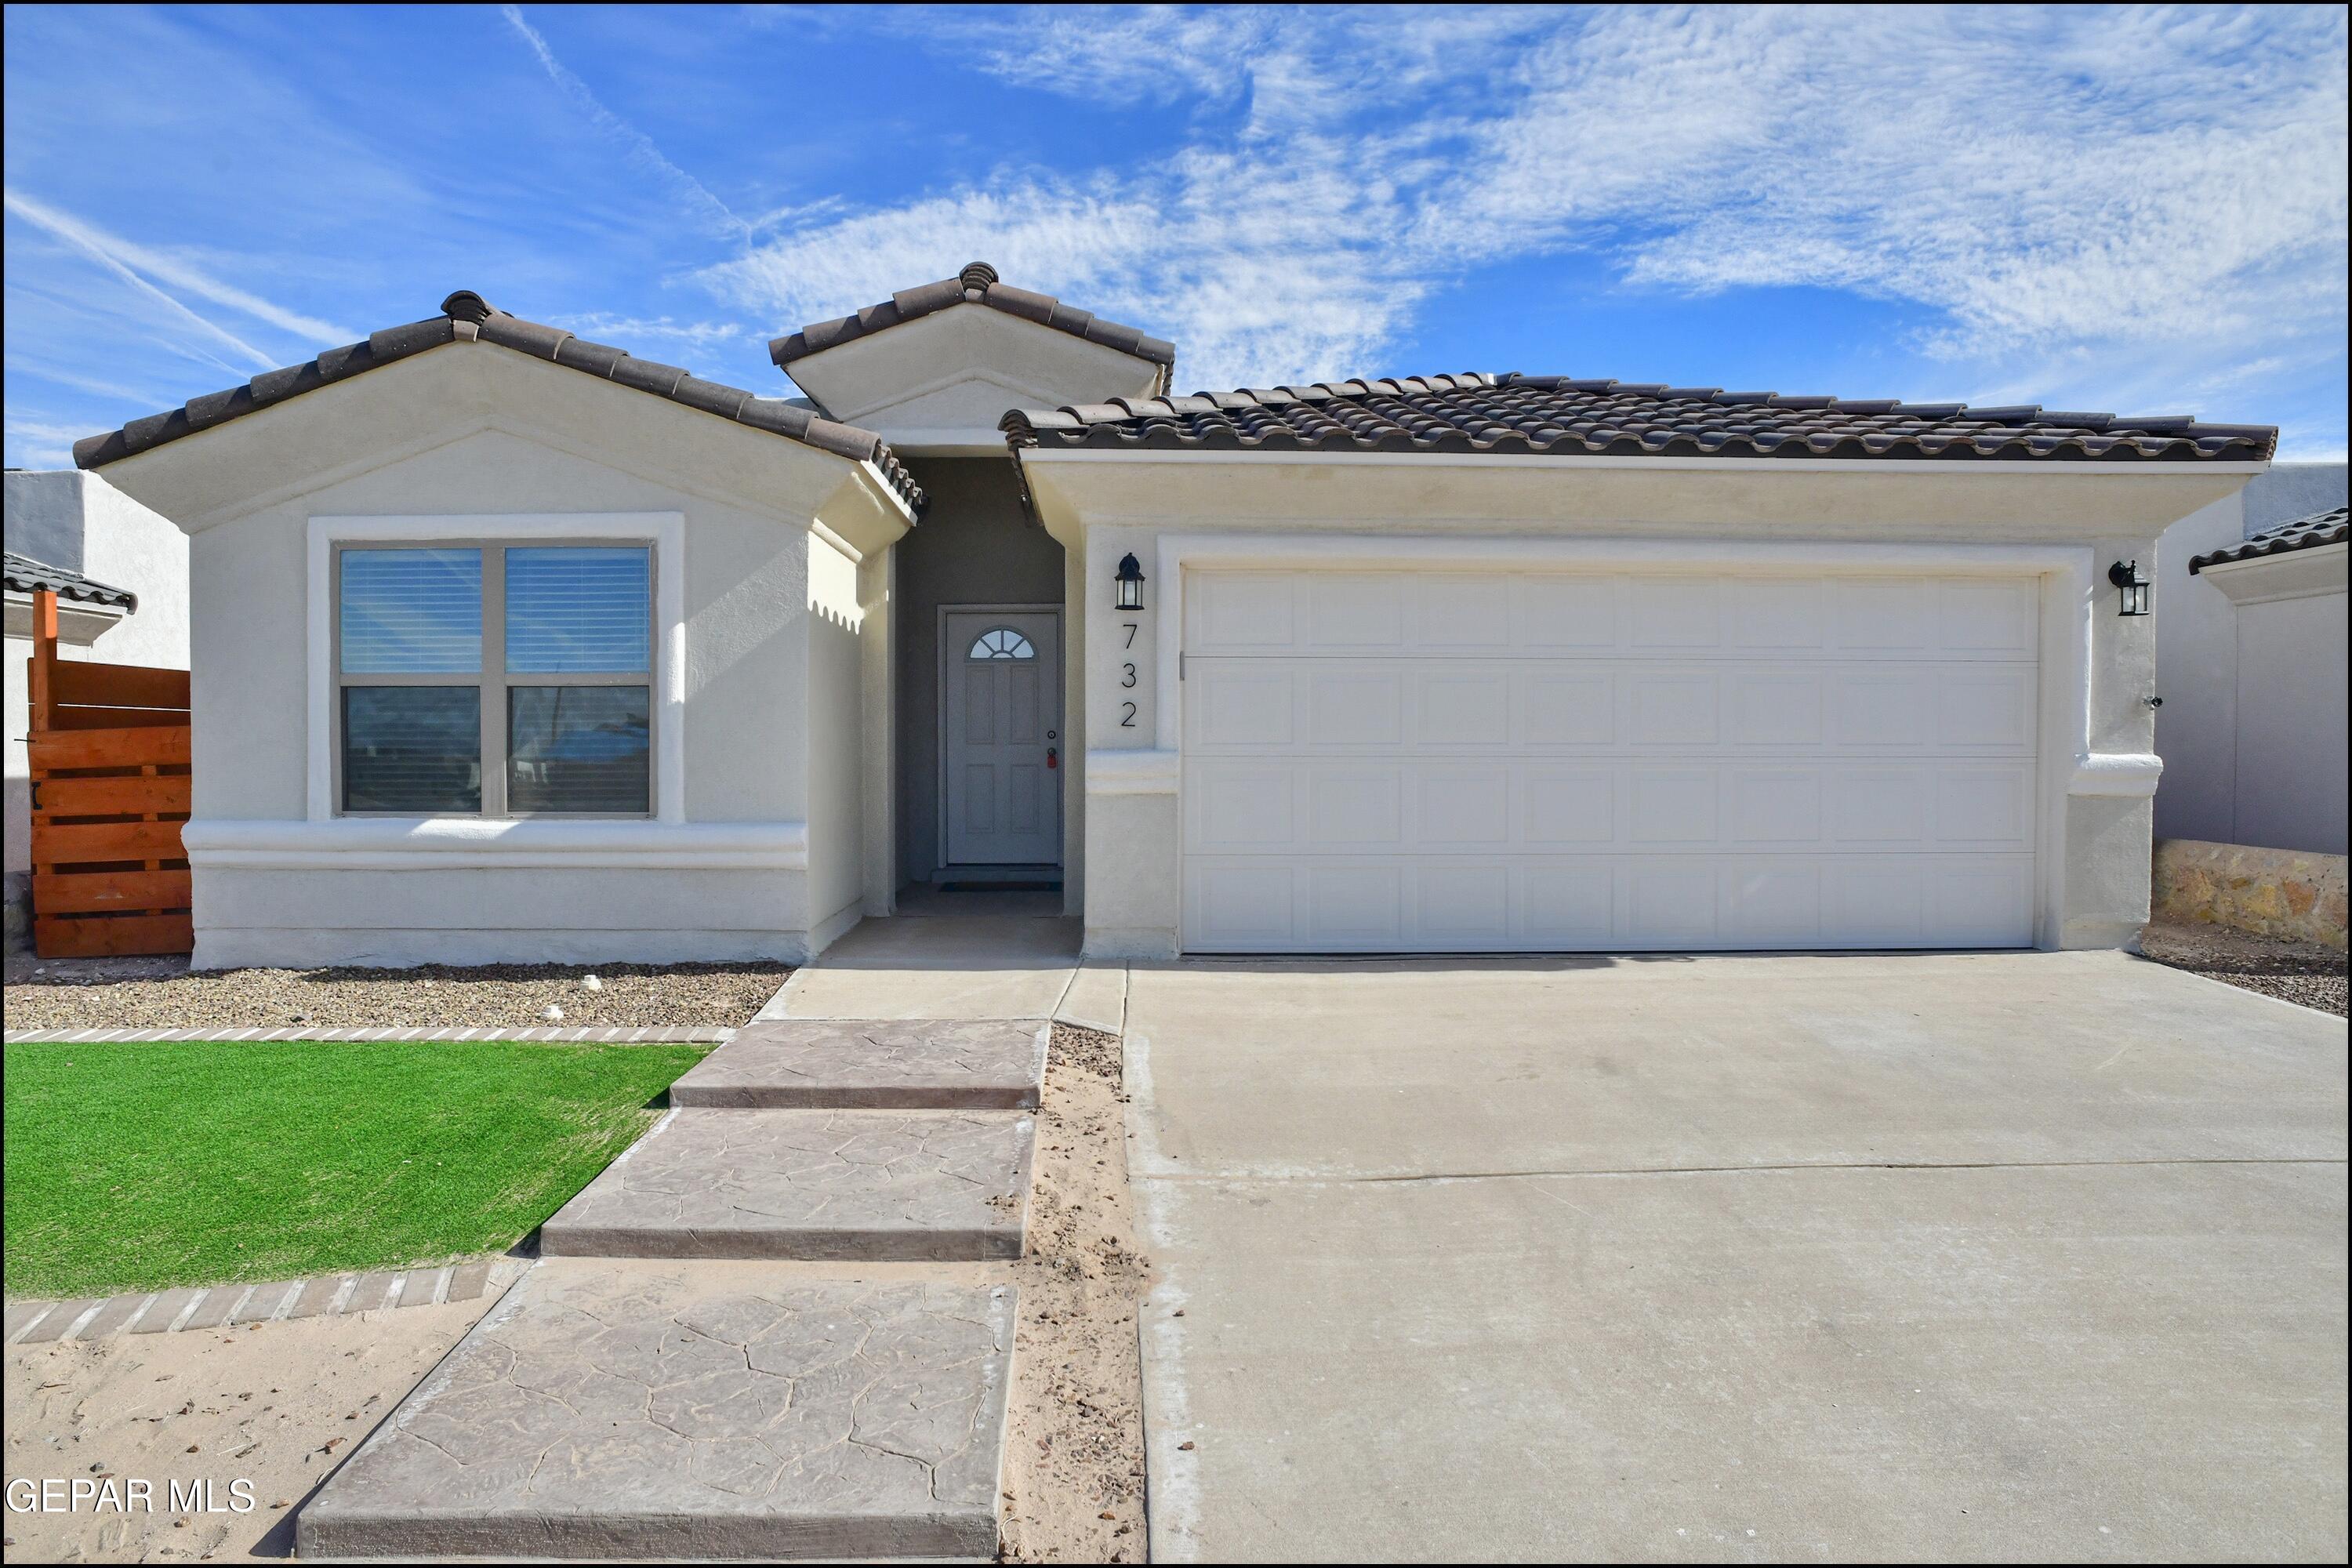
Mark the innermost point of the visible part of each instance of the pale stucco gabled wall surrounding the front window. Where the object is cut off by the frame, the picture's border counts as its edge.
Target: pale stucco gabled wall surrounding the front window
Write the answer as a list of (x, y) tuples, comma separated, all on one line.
[(759, 857)]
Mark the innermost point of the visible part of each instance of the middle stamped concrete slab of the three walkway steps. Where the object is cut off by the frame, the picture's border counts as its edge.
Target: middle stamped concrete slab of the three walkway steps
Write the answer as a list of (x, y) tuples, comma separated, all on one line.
[(864, 1186)]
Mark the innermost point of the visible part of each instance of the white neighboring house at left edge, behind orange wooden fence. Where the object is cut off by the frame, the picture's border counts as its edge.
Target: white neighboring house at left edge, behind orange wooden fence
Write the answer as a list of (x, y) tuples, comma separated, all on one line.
[(121, 579)]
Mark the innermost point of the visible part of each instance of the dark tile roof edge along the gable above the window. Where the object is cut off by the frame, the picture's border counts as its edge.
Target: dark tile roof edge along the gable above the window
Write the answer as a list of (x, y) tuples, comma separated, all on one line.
[(472, 319)]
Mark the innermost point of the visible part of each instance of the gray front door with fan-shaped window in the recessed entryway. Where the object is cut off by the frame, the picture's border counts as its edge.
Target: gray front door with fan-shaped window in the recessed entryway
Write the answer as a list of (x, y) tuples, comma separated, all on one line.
[(1001, 746)]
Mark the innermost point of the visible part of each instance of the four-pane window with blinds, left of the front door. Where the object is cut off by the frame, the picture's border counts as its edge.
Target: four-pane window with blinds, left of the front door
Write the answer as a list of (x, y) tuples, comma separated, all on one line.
[(533, 657)]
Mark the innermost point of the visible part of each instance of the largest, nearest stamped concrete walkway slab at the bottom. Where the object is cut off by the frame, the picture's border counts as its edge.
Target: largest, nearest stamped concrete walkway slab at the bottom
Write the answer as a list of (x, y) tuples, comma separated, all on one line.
[(693, 1412)]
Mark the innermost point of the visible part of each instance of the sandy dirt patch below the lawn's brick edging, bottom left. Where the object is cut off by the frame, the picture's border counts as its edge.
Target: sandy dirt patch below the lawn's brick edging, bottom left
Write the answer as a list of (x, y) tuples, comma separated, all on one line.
[(274, 1405)]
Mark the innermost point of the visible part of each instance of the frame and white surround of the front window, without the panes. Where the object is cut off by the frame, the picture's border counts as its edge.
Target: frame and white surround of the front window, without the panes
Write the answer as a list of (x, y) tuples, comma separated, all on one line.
[(662, 535)]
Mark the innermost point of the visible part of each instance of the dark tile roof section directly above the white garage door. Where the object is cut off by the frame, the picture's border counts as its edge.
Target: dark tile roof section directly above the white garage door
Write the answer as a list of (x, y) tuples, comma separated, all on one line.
[(1561, 415)]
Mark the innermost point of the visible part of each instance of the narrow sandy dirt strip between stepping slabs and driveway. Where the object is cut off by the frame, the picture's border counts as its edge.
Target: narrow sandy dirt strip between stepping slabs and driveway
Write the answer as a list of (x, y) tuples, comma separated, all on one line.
[(1074, 1461)]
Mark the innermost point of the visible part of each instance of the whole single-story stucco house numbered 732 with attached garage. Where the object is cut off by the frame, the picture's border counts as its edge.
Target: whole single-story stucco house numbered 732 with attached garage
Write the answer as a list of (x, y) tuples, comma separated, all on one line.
[(516, 648)]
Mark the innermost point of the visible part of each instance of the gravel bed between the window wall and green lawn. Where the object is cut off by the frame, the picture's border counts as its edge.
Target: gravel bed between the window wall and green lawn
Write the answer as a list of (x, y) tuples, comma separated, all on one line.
[(168, 996)]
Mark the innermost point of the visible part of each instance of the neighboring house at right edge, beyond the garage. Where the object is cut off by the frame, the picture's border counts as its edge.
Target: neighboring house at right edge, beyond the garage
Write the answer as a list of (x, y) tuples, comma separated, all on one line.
[(2252, 666)]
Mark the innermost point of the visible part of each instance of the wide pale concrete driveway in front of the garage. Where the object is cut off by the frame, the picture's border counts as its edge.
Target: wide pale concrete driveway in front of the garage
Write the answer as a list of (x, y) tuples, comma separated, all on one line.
[(1953, 1257)]
